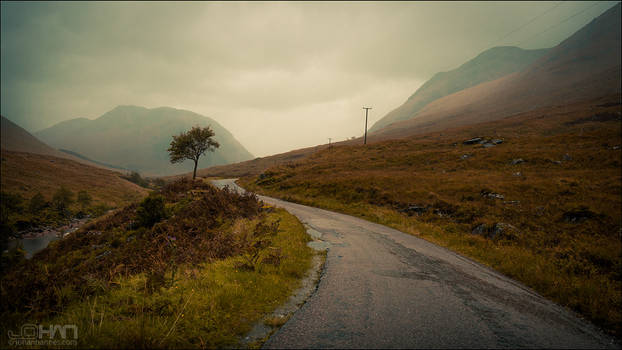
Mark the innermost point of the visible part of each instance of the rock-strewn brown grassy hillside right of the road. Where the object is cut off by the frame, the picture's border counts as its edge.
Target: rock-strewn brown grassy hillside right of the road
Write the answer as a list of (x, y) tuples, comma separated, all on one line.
[(560, 210)]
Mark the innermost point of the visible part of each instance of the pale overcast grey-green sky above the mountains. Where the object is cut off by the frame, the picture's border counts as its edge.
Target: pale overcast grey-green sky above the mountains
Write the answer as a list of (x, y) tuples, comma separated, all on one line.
[(278, 75)]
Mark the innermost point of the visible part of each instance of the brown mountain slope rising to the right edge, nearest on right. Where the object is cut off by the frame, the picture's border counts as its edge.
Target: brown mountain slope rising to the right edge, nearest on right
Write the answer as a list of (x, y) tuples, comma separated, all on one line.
[(584, 66)]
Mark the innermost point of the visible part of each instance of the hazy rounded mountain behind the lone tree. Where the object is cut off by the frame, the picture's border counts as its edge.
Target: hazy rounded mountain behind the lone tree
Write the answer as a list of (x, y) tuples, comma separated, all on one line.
[(137, 138)]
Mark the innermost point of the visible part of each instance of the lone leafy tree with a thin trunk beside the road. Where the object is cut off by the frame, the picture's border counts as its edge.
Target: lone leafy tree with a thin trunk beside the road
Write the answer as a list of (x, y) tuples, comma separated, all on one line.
[(192, 145)]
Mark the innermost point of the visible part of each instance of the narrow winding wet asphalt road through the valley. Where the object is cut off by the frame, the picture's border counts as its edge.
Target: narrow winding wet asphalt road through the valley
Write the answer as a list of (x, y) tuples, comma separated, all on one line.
[(382, 288)]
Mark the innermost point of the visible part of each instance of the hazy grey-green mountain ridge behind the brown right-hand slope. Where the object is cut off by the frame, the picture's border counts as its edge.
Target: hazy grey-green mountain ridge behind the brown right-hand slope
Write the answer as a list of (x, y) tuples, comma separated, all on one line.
[(487, 66)]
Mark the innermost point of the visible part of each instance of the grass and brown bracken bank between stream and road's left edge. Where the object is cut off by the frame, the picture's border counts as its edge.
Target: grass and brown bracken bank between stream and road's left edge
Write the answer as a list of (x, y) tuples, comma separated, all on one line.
[(201, 290)]
